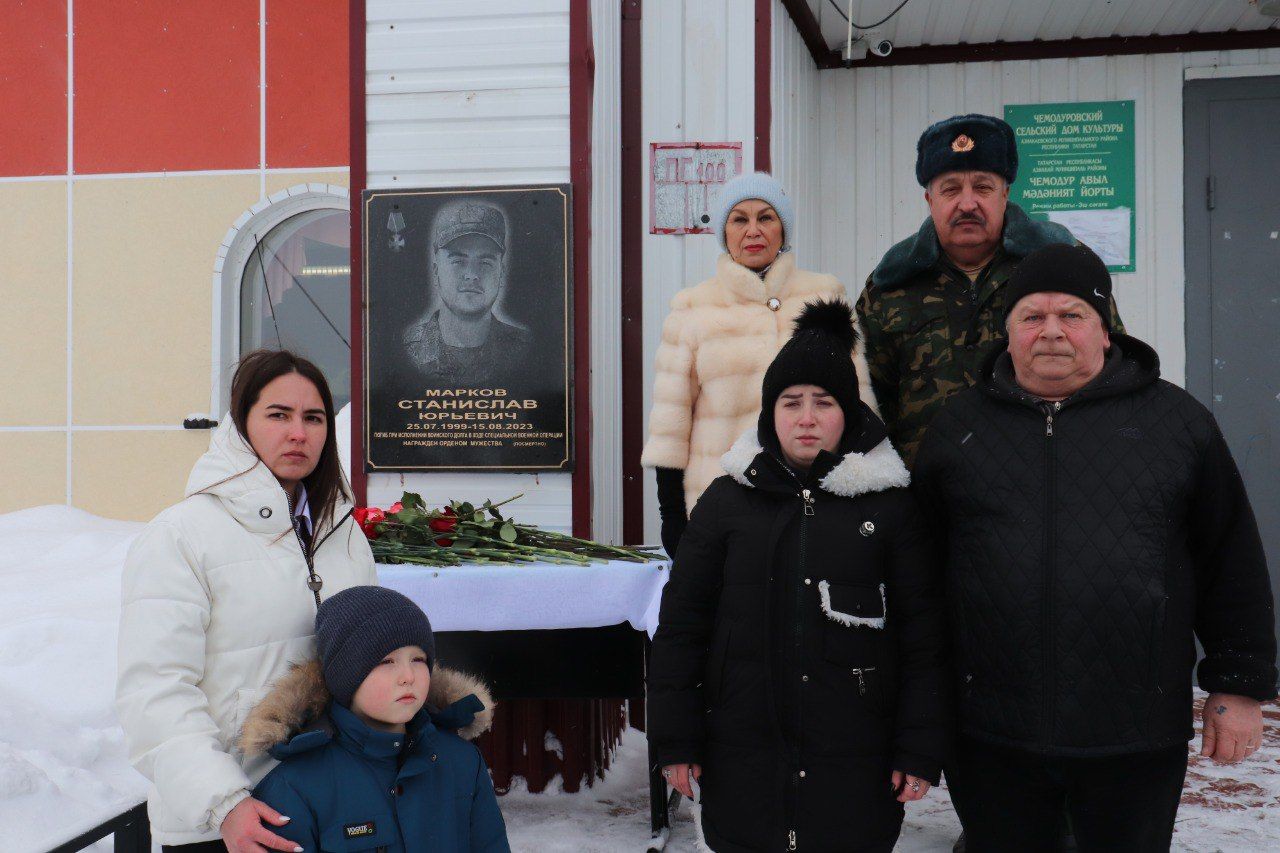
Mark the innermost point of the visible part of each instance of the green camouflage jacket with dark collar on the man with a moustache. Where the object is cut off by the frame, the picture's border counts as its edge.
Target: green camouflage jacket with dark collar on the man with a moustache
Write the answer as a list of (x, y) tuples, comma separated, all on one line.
[(929, 327)]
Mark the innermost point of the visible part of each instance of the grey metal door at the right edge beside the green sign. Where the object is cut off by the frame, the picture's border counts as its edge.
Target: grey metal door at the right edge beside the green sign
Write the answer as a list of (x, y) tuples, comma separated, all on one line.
[(1233, 279)]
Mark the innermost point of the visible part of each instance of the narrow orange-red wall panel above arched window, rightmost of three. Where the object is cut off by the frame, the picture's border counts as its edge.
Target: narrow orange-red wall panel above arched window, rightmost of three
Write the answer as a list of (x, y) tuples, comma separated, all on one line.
[(308, 84)]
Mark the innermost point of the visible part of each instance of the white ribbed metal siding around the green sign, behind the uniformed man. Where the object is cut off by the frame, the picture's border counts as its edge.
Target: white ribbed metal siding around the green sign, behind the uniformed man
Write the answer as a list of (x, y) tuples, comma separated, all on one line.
[(870, 121)]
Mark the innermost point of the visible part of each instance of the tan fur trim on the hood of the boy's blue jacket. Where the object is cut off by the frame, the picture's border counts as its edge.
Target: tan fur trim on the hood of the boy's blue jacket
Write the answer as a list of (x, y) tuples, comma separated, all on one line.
[(300, 699)]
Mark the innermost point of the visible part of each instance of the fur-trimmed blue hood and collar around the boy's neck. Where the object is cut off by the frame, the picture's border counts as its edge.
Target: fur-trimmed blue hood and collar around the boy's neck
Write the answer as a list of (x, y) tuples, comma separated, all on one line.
[(298, 715)]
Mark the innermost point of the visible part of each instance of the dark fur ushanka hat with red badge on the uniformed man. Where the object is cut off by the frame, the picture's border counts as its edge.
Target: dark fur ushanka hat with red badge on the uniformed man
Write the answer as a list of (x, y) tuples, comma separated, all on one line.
[(971, 143)]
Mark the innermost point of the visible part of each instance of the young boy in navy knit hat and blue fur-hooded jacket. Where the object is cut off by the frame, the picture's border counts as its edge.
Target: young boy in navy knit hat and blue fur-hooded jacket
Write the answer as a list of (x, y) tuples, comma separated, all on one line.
[(371, 738)]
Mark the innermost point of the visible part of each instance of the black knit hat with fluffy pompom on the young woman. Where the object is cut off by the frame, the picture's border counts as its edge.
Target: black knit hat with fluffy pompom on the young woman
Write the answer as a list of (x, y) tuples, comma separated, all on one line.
[(821, 353)]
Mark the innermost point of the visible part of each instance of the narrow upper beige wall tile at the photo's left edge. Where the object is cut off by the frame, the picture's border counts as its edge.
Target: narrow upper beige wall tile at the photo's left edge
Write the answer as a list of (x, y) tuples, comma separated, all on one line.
[(34, 295)]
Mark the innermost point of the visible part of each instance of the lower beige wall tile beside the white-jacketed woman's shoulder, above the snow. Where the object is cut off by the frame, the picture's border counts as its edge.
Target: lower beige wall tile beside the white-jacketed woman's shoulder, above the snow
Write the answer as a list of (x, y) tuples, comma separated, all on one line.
[(132, 475)]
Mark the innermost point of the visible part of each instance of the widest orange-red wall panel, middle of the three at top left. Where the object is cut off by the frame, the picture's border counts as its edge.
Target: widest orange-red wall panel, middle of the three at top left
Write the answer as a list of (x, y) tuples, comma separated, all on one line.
[(166, 85)]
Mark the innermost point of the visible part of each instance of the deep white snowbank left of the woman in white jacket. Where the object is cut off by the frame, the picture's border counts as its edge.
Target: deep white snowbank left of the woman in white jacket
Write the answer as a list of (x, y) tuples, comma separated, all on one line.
[(63, 765)]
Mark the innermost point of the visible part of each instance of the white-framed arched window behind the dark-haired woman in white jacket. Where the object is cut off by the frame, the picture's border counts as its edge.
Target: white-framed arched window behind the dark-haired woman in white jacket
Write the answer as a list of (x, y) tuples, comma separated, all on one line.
[(286, 284)]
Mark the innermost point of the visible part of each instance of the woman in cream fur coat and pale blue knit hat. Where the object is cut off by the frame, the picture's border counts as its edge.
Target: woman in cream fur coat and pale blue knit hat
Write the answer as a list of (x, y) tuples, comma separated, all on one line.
[(719, 340)]
